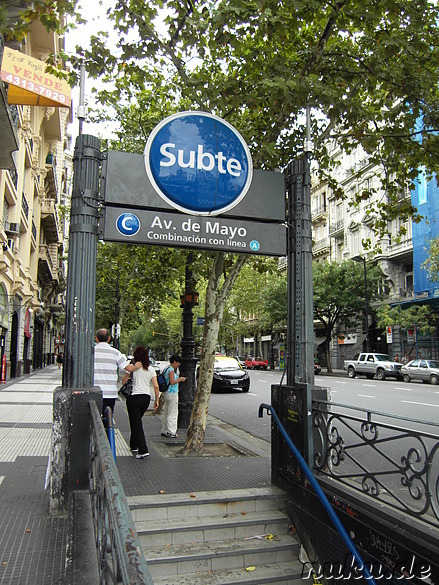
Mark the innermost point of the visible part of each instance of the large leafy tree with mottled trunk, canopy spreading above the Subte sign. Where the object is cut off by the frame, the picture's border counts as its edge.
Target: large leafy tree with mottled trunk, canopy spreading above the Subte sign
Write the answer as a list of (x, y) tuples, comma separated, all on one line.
[(369, 71)]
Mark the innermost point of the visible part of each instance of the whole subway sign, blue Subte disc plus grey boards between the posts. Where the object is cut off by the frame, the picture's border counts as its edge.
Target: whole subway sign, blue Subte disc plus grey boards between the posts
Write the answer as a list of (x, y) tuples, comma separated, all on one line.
[(194, 187)]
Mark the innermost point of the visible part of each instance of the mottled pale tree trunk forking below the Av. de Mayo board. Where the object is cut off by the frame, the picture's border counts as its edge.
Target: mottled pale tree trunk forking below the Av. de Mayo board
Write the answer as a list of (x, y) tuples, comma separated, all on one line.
[(216, 297)]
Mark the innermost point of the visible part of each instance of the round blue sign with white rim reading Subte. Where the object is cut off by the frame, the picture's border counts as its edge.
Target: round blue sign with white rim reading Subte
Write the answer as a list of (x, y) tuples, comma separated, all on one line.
[(198, 163)]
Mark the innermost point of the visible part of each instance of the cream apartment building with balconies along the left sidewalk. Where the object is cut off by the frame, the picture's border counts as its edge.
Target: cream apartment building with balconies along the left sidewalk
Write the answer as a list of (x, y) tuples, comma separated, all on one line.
[(35, 169)]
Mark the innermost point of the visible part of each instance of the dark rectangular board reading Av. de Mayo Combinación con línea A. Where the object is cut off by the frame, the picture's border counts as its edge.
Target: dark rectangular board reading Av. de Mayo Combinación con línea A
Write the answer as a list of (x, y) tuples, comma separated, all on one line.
[(186, 231)]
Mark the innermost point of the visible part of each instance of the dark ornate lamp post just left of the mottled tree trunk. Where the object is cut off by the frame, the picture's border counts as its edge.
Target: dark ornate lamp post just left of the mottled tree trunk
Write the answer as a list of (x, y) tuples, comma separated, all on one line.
[(187, 368)]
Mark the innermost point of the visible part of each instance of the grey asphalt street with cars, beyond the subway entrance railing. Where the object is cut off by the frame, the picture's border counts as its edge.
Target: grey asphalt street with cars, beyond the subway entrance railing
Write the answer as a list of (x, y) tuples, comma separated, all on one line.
[(414, 399)]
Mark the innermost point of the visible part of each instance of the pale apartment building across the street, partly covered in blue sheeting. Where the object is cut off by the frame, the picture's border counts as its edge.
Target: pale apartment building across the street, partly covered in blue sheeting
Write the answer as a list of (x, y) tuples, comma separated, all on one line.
[(339, 229)]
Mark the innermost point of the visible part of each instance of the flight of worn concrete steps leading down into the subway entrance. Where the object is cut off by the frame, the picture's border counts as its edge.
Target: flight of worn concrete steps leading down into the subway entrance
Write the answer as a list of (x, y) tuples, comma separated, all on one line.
[(208, 537)]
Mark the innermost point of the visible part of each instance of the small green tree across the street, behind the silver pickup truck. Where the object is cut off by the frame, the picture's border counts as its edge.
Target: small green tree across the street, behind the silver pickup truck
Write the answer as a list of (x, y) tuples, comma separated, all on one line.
[(339, 295)]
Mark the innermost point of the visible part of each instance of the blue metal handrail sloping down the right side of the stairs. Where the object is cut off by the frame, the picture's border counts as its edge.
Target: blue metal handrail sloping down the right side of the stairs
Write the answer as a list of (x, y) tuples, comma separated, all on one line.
[(320, 493)]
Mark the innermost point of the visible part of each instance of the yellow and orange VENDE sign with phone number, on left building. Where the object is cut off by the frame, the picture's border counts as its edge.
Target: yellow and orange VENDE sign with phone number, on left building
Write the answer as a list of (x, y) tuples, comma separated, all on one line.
[(29, 84)]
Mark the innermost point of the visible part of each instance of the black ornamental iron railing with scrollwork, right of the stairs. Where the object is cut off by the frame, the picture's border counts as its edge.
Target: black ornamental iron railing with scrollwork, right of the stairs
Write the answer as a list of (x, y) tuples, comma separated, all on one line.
[(392, 459)]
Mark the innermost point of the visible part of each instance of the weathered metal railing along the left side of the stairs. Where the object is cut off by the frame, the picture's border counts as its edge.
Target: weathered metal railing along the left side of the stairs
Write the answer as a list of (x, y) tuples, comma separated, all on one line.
[(120, 557)]
